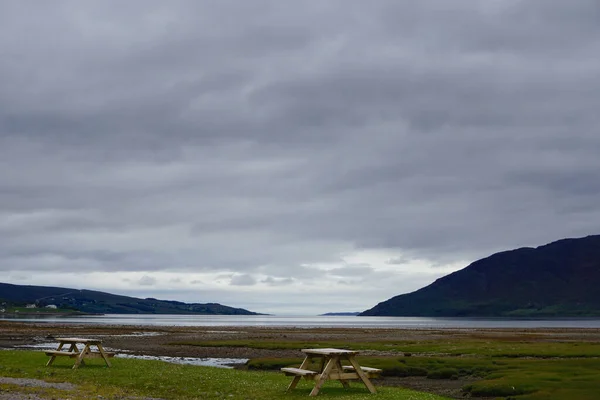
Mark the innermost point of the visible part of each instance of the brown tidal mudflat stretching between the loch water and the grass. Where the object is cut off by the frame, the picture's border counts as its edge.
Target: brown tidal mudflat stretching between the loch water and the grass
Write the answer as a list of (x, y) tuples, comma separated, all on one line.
[(166, 340)]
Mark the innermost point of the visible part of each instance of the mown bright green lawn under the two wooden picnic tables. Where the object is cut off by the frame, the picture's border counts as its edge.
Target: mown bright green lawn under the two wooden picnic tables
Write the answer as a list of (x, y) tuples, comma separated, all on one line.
[(137, 378)]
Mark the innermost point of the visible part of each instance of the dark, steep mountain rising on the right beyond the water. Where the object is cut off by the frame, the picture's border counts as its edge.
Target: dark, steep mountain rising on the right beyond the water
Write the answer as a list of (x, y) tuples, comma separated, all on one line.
[(560, 279)]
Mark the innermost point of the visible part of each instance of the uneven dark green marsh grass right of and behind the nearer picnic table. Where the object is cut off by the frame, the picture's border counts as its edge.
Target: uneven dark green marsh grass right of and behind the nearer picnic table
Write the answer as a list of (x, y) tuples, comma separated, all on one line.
[(511, 369)]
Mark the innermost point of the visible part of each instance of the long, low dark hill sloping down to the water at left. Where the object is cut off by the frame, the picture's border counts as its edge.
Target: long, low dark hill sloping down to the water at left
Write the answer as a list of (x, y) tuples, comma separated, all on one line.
[(90, 301)]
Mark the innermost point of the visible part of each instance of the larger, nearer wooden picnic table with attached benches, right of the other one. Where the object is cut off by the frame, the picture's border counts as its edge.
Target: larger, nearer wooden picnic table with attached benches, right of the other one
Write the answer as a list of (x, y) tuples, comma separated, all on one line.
[(331, 368)]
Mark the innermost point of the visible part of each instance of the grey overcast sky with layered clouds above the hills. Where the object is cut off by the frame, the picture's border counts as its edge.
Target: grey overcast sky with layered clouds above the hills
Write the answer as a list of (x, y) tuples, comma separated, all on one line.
[(291, 157)]
